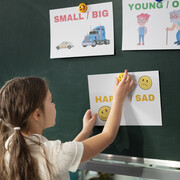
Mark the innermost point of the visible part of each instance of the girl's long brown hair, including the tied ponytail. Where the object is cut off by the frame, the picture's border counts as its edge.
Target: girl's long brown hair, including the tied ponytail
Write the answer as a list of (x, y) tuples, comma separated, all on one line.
[(19, 98)]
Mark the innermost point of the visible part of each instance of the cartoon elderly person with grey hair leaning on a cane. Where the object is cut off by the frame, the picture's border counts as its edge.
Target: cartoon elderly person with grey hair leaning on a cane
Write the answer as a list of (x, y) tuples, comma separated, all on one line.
[(175, 19)]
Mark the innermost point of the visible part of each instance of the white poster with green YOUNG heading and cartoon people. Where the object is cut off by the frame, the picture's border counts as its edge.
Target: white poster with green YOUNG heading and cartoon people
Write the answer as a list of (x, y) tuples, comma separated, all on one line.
[(150, 25)]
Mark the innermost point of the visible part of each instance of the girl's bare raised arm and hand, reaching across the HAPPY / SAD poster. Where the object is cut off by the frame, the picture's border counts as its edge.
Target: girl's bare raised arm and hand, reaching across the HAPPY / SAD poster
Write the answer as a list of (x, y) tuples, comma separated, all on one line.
[(97, 143)]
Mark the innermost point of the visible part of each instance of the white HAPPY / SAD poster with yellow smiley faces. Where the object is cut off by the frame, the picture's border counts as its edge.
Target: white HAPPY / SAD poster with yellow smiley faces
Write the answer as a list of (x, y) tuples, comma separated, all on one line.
[(142, 107)]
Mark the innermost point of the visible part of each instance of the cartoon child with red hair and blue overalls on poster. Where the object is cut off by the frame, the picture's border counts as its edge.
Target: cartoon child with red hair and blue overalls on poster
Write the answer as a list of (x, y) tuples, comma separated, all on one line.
[(142, 19)]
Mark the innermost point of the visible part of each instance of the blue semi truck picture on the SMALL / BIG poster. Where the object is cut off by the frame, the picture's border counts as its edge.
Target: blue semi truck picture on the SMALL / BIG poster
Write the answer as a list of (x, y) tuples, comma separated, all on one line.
[(95, 37)]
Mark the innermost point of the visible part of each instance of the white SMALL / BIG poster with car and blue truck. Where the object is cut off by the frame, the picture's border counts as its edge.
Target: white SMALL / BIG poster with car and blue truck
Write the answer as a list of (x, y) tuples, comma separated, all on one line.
[(76, 34)]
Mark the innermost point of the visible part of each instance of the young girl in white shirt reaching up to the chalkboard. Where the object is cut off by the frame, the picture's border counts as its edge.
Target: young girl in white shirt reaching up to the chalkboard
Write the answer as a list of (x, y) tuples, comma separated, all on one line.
[(26, 109)]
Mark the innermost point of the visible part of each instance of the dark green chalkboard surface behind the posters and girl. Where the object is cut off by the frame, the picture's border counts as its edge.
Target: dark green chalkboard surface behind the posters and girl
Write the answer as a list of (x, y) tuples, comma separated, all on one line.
[(25, 50)]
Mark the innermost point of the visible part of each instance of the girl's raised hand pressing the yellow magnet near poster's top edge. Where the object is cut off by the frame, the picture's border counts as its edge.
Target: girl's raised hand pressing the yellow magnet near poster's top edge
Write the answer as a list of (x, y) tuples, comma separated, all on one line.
[(123, 88)]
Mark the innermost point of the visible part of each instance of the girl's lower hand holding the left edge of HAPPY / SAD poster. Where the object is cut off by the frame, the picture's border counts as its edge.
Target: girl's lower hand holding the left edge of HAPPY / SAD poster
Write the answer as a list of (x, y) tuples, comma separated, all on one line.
[(88, 122)]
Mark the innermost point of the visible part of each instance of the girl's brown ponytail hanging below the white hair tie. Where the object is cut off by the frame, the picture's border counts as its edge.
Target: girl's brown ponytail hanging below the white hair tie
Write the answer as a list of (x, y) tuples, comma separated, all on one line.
[(22, 164)]
